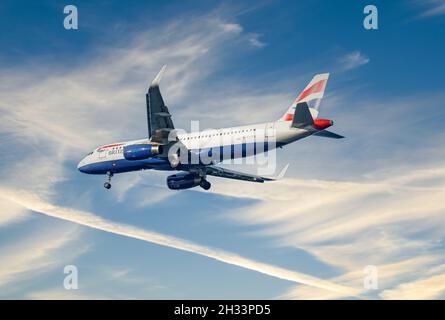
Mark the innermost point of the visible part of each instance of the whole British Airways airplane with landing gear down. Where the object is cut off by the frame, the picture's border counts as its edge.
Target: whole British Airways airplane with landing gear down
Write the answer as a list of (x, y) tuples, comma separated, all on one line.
[(195, 156)]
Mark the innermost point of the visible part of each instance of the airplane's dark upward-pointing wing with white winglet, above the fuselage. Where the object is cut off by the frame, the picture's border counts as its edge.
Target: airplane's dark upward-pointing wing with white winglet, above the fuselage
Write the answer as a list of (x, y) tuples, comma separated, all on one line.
[(158, 117)]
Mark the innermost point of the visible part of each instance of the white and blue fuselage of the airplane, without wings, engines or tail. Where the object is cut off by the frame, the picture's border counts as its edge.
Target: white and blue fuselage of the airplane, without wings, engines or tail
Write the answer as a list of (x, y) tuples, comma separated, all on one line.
[(110, 158)]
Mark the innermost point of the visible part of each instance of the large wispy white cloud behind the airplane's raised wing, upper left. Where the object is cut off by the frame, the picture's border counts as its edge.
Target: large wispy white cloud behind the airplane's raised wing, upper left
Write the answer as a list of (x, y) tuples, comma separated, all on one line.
[(43, 105)]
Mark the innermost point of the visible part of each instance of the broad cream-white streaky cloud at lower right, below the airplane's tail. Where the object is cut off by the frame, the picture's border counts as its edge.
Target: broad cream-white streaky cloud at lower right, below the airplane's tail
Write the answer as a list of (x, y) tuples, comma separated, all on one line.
[(391, 223)]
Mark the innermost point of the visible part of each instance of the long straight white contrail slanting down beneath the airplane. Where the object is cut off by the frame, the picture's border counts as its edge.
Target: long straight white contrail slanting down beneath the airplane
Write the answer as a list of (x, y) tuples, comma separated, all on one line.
[(34, 203)]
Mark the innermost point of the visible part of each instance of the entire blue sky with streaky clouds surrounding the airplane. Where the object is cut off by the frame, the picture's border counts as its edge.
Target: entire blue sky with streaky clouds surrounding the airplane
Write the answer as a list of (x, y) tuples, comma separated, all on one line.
[(374, 198)]
